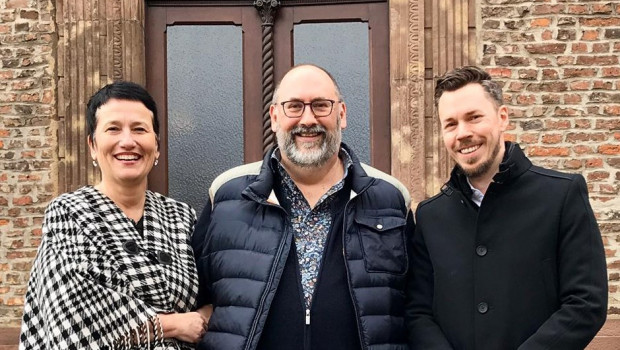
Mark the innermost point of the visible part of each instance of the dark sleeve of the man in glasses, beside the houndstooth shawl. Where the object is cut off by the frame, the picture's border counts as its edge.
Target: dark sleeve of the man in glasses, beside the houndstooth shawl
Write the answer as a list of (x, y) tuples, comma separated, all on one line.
[(199, 243)]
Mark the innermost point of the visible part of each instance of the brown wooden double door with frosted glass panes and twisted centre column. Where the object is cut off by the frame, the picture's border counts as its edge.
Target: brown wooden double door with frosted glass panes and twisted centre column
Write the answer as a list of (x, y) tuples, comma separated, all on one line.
[(213, 65)]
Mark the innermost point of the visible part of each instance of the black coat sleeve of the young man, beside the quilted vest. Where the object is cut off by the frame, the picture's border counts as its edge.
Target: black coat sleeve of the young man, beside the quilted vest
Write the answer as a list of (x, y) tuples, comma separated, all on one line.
[(424, 332)]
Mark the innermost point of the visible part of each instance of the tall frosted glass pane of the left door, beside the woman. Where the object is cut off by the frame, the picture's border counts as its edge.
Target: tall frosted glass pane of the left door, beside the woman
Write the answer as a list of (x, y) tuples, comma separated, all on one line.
[(205, 107)]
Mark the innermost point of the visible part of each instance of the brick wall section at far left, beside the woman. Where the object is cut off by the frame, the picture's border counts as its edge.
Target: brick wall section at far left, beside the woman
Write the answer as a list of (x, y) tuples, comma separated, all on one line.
[(27, 141)]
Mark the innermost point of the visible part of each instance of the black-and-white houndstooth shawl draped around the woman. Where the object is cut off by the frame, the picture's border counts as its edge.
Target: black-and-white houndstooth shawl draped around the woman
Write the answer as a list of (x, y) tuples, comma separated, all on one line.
[(87, 291)]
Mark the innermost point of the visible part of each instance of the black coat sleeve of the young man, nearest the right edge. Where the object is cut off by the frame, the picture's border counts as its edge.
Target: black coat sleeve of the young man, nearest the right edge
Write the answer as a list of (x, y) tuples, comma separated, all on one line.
[(582, 278)]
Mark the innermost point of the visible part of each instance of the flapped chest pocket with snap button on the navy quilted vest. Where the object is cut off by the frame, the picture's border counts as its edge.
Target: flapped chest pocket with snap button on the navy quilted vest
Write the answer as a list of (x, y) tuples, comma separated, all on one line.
[(383, 243)]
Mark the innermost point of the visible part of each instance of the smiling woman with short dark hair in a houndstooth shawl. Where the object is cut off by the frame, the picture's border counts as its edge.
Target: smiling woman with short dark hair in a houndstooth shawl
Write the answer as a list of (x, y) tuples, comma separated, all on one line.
[(115, 268)]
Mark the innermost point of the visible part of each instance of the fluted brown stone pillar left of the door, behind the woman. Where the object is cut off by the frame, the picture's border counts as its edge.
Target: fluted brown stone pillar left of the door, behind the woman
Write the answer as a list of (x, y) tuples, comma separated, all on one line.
[(98, 42)]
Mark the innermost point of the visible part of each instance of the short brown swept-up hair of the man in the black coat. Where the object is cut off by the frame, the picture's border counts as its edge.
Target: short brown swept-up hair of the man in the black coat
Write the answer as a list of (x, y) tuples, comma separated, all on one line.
[(459, 77)]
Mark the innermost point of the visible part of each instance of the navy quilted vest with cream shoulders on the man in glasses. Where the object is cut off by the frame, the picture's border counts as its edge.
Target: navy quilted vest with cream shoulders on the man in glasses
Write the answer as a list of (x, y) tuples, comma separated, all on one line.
[(242, 241)]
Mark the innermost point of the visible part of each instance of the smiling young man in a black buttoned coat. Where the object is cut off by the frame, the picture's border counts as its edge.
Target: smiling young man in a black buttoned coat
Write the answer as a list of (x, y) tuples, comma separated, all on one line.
[(508, 255)]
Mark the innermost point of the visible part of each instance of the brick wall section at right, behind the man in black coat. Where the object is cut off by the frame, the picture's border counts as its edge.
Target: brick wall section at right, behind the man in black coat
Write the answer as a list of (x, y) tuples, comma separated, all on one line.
[(559, 62)]
